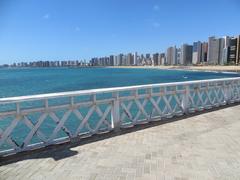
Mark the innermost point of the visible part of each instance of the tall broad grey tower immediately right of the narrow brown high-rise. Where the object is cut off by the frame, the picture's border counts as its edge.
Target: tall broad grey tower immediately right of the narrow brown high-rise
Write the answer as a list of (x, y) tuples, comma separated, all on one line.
[(213, 50)]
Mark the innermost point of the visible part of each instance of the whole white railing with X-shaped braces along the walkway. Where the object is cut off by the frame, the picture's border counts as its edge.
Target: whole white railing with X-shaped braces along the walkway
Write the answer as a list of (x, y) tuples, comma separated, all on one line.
[(31, 122)]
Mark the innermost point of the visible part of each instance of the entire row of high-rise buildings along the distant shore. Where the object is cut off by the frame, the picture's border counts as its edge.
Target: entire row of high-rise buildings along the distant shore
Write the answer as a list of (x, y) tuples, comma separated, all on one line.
[(216, 51)]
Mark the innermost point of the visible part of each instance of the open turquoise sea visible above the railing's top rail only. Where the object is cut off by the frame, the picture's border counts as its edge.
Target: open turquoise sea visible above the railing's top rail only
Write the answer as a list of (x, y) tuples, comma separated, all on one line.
[(18, 82)]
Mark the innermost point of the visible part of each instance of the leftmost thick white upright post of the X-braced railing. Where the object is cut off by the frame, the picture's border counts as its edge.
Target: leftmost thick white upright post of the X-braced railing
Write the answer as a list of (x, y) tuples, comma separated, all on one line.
[(115, 115)]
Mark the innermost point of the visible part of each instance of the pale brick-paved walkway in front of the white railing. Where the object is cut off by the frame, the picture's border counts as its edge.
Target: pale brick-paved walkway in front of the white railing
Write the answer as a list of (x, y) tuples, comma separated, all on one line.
[(205, 146)]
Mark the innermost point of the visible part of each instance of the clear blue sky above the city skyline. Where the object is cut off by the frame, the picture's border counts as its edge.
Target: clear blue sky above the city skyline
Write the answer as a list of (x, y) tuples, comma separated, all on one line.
[(78, 29)]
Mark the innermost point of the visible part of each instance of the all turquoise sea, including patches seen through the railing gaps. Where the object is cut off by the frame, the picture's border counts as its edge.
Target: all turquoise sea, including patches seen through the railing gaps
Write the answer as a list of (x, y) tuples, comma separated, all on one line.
[(18, 82)]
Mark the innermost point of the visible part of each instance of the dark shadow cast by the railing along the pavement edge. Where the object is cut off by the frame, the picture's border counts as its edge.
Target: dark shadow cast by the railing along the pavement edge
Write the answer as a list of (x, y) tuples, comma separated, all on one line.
[(61, 151)]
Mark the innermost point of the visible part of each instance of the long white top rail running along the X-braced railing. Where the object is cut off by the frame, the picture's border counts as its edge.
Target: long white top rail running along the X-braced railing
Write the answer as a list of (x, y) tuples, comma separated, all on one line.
[(105, 90)]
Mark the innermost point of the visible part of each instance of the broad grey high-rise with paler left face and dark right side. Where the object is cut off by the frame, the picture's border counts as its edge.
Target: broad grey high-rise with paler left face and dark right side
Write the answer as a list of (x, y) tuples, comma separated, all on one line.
[(186, 54)]
